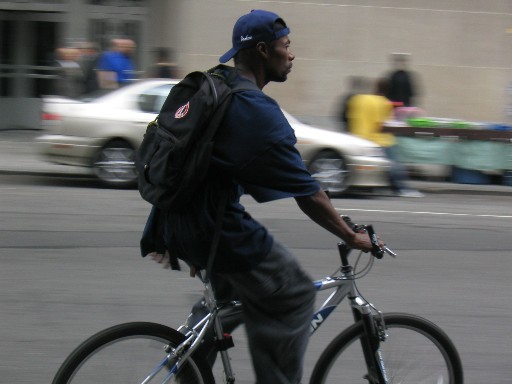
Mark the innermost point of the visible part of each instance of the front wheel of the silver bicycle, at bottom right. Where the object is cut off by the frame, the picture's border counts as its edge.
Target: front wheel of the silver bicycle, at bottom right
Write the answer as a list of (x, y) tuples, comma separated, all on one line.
[(416, 351)]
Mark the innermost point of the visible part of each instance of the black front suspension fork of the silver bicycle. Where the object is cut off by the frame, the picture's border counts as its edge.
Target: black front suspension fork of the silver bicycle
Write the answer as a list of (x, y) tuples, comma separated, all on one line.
[(374, 334)]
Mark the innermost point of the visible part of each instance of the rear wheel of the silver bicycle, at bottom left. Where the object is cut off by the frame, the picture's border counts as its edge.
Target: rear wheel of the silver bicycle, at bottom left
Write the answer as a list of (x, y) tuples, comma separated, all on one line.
[(127, 353)]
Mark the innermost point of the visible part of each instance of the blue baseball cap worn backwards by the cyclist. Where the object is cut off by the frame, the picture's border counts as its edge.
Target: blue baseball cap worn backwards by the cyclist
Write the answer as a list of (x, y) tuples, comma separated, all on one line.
[(250, 29)]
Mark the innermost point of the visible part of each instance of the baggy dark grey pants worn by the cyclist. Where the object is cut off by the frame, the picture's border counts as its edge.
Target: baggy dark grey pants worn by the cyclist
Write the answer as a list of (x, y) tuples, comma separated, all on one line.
[(278, 299)]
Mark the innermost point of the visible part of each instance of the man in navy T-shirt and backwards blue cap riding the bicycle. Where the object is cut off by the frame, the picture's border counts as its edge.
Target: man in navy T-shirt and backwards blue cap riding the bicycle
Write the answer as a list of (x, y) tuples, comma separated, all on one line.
[(255, 154)]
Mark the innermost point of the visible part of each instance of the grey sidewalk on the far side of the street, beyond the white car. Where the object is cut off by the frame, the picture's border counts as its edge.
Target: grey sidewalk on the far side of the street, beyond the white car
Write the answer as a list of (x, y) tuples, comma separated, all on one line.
[(18, 155)]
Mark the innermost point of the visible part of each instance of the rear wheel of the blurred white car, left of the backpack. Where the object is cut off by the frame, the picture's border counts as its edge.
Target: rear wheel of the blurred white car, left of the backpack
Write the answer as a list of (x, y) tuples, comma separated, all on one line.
[(114, 164)]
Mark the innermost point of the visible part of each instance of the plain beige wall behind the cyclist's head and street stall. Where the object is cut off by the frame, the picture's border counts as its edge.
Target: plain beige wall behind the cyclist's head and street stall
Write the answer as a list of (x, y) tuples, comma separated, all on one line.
[(460, 49)]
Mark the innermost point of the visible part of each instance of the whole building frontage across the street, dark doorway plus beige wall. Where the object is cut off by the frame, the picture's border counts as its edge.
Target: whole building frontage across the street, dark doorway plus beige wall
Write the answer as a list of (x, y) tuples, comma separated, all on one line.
[(459, 51)]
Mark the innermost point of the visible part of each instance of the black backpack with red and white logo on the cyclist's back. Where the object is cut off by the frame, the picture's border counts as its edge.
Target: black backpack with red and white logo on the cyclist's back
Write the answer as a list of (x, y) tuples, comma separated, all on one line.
[(174, 156)]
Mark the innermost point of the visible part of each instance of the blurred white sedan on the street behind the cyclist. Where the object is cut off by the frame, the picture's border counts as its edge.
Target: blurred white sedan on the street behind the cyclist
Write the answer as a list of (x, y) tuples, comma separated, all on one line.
[(104, 132)]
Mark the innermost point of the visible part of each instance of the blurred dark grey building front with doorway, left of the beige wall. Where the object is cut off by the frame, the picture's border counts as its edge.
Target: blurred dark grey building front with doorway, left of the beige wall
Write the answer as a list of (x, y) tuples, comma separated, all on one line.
[(32, 31)]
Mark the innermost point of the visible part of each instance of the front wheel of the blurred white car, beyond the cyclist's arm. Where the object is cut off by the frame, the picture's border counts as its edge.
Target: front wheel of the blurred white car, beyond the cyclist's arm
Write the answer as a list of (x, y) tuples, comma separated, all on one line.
[(331, 172)]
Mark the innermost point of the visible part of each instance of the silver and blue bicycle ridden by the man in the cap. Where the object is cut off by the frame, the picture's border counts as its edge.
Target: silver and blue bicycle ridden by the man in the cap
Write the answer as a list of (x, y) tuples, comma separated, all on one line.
[(377, 348)]
